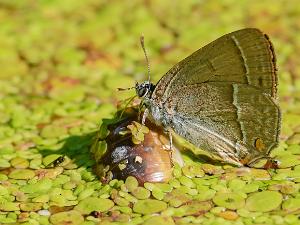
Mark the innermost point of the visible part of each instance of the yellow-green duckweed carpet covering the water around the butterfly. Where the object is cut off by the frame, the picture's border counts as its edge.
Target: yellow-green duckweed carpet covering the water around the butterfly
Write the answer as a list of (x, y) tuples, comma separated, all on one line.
[(58, 84)]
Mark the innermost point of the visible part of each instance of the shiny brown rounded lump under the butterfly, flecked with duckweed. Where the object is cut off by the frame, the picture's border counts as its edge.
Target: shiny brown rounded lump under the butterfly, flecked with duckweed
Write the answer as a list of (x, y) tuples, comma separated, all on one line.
[(148, 161)]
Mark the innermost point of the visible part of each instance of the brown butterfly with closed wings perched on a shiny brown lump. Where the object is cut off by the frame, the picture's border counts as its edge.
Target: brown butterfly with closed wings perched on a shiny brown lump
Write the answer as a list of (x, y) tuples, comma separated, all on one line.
[(222, 98)]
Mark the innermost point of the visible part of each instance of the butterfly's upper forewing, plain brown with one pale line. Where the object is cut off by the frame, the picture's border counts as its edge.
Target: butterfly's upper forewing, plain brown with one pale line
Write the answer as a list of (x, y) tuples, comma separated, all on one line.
[(245, 56)]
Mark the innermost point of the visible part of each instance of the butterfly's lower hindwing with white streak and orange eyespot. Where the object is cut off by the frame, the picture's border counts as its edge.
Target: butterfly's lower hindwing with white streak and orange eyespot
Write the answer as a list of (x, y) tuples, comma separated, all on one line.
[(233, 121)]
